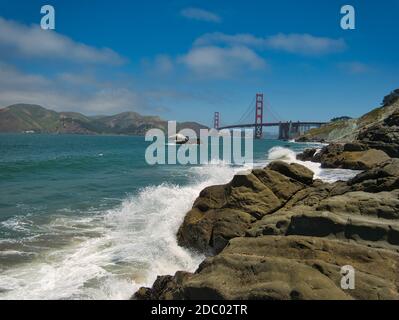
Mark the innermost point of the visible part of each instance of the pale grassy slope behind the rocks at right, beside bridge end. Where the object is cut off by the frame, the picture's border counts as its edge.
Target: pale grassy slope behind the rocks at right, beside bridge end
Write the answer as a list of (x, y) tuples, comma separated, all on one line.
[(347, 130)]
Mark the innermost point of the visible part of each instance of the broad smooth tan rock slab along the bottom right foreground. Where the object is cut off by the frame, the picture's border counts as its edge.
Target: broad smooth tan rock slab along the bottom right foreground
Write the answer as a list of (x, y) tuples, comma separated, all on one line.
[(283, 268)]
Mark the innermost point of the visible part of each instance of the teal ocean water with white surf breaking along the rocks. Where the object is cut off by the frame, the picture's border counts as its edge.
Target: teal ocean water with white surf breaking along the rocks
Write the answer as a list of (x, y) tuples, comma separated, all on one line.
[(84, 217)]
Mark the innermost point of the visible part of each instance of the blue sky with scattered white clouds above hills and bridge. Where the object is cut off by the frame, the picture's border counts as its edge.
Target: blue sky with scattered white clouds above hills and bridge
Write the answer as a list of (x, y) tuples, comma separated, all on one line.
[(184, 60)]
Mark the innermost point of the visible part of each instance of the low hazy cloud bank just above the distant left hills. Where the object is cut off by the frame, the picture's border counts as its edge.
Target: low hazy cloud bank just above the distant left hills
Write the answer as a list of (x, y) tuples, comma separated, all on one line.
[(68, 92)]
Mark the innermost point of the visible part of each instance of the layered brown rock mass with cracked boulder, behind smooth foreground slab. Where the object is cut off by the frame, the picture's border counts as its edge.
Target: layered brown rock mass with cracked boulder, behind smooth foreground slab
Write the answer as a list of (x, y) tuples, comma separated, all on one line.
[(266, 202)]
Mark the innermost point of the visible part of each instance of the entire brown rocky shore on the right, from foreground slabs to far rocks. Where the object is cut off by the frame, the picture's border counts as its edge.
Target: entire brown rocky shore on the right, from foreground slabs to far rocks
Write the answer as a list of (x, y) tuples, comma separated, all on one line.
[(278, 233)]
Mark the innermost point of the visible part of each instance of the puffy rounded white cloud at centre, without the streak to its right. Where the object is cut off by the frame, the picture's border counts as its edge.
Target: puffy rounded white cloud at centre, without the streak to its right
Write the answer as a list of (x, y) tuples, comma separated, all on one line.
[(212, 61)]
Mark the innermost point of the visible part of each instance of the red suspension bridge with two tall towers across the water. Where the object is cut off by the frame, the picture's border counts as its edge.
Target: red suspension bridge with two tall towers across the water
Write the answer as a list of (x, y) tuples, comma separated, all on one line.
[(257, 109)]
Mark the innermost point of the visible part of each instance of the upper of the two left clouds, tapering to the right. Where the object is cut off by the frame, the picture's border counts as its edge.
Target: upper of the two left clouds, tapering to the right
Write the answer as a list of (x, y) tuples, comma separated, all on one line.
[(33, 42)]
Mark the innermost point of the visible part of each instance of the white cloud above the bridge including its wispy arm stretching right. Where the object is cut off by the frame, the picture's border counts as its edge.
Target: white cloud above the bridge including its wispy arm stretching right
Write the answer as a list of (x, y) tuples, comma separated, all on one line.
[(223, 55)]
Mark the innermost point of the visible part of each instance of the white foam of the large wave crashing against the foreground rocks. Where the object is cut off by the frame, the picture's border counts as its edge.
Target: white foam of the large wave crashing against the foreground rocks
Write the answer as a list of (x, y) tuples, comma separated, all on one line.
[(135, 243)]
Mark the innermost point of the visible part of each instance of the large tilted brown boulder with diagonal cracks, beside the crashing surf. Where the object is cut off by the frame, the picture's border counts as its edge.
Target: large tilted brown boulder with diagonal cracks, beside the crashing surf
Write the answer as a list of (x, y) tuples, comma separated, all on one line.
[(224, 212)]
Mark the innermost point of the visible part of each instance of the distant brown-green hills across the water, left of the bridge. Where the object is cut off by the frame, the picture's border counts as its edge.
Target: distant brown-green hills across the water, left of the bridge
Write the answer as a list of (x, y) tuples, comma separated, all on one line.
[(27, 117)]
